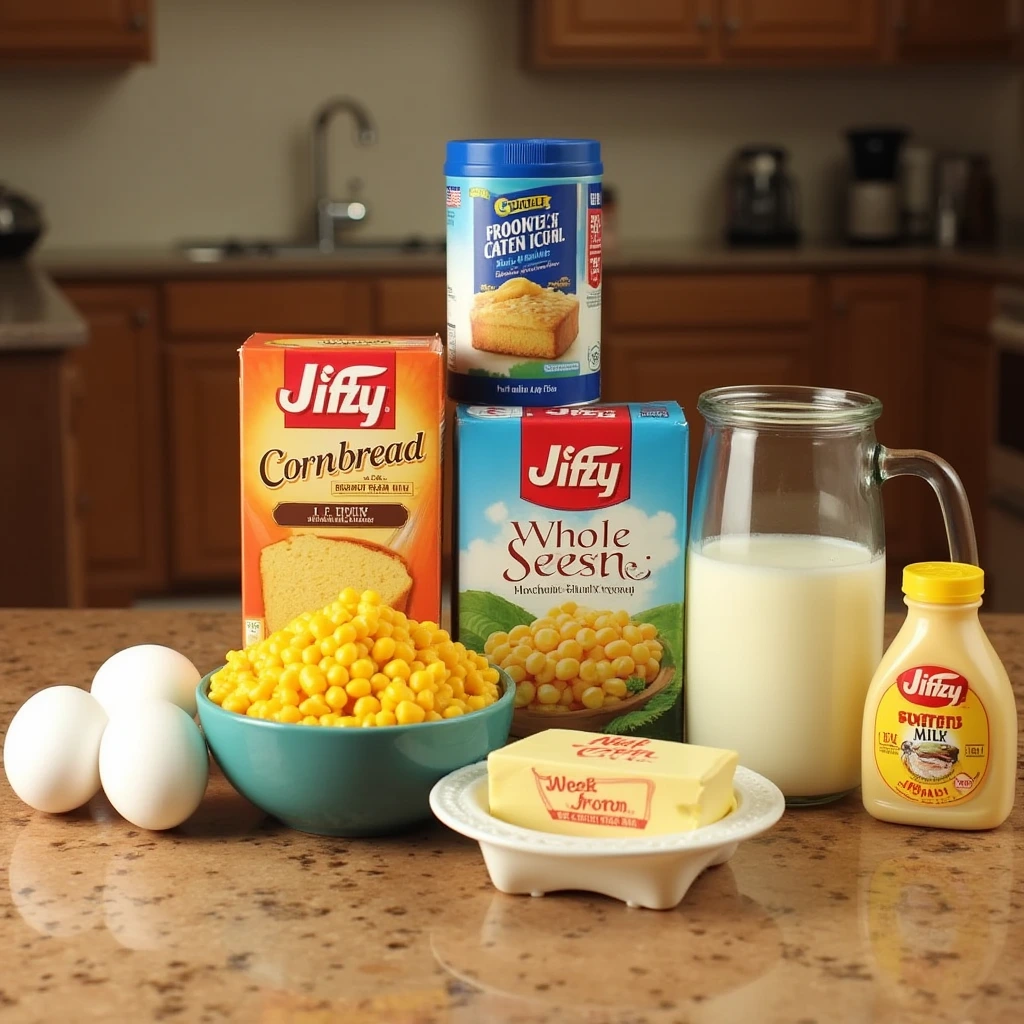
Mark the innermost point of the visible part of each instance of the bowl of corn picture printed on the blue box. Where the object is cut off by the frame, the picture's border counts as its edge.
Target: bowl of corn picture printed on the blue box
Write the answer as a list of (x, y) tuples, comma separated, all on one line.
[(580, 667)]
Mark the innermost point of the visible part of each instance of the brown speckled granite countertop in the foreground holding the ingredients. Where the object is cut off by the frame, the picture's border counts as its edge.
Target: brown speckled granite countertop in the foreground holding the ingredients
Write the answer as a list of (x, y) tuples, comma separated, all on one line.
[(832, 917)]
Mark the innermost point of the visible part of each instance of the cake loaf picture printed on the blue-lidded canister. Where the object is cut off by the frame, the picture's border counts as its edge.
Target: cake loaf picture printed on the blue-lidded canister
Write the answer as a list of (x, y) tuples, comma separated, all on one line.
[(521, 318)]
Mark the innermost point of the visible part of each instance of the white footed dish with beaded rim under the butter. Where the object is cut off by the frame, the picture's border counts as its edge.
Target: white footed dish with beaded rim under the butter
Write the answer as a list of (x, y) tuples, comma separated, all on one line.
[(654, 872)]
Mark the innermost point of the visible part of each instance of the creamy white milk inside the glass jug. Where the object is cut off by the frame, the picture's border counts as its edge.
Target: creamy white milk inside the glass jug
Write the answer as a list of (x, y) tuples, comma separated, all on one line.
[(784, 634)]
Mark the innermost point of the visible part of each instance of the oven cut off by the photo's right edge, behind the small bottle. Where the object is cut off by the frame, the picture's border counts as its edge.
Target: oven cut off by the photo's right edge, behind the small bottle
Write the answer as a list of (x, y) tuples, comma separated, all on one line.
[(1006, 474)]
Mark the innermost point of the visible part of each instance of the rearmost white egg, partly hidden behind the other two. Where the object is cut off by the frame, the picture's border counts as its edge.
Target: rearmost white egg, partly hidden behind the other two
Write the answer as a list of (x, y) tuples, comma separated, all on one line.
[(144, 672)]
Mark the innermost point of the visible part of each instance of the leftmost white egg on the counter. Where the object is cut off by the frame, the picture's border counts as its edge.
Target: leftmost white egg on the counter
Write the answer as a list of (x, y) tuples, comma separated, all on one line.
[(52, 751)]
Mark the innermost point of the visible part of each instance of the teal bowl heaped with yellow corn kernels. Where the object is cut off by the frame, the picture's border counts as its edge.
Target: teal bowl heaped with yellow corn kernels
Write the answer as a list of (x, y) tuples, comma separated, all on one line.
[(342, 723)]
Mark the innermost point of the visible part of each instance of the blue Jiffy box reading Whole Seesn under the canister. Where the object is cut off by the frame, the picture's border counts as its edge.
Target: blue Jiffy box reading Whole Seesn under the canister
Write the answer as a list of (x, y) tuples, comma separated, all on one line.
[(570, 574)]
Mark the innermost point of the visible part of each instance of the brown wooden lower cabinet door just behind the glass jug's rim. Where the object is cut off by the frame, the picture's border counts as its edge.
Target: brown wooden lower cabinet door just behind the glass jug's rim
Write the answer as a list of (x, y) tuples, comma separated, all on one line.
[(682, 366)]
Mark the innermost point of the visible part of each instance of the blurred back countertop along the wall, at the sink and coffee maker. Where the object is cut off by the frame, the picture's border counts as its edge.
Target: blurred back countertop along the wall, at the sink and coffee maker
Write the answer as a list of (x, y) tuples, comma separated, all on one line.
[(165, 262)]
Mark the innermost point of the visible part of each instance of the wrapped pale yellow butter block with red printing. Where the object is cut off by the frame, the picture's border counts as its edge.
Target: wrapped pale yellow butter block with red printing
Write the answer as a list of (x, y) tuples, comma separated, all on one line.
[(583, 784)]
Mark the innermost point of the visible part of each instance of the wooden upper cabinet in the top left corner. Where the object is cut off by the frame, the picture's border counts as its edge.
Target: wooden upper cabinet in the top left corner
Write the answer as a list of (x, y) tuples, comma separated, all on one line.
[(75, 32)]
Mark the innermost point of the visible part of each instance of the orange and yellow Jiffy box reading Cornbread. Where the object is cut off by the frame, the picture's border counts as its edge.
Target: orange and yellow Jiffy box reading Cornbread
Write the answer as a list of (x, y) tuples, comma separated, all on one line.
[(342, 475)]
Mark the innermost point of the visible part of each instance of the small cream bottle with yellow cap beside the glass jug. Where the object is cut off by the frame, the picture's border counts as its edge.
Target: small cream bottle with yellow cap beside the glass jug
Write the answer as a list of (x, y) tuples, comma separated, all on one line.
[(940, 738)]
